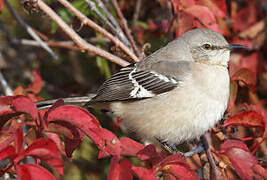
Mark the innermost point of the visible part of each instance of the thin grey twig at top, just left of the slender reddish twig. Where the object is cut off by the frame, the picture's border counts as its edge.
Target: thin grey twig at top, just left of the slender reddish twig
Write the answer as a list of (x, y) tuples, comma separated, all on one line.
[(119, 31)]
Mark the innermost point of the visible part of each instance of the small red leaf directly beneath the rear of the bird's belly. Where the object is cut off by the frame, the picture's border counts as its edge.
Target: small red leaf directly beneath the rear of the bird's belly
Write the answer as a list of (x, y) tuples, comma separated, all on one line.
[(130, 147)]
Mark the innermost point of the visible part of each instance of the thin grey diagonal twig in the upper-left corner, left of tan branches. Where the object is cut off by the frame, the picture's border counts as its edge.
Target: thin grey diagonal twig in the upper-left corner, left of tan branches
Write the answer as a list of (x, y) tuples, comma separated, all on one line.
[(30, 30)]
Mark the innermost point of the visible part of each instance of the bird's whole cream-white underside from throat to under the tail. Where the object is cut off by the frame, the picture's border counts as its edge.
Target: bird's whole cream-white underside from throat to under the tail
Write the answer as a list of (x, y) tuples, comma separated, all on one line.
[(182, 114)]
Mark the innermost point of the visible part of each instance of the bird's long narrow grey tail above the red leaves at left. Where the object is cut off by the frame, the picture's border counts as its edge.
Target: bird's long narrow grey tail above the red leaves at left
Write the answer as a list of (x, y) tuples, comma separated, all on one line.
[(79, 101)]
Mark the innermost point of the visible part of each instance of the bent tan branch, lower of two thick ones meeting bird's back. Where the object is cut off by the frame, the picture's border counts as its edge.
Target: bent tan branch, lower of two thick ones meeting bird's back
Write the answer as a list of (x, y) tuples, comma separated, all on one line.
[(85, 46)]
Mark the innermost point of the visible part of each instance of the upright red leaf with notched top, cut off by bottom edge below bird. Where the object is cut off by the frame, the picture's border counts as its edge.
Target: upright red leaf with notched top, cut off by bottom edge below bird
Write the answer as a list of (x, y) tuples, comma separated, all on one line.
[(119, 171)]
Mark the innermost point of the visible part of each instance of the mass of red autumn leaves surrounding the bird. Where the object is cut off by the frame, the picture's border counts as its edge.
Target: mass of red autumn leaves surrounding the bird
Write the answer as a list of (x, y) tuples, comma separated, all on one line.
[(73, 123)]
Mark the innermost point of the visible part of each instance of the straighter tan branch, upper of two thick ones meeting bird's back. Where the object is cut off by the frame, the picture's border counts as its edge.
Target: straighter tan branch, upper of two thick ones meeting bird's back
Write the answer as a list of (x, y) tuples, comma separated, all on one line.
[(96, 27)]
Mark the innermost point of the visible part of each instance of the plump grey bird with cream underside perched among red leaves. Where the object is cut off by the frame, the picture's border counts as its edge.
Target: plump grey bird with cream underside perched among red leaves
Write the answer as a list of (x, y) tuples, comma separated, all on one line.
[(175, 94)]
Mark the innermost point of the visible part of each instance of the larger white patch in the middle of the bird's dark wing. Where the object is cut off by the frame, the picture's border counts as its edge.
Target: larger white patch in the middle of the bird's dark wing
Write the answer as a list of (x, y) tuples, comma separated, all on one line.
[(139, 91)]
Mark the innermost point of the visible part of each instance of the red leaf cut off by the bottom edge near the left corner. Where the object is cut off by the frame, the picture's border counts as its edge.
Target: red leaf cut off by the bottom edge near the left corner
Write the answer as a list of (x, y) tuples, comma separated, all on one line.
[(32, 172)]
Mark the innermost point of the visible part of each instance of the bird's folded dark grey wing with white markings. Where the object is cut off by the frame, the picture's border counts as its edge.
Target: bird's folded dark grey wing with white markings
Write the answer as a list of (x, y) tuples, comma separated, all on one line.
[(139, 81)]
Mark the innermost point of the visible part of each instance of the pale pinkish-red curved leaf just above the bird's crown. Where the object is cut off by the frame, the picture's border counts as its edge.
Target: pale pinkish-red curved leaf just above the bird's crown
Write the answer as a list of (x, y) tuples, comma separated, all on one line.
[(204, 15)]
